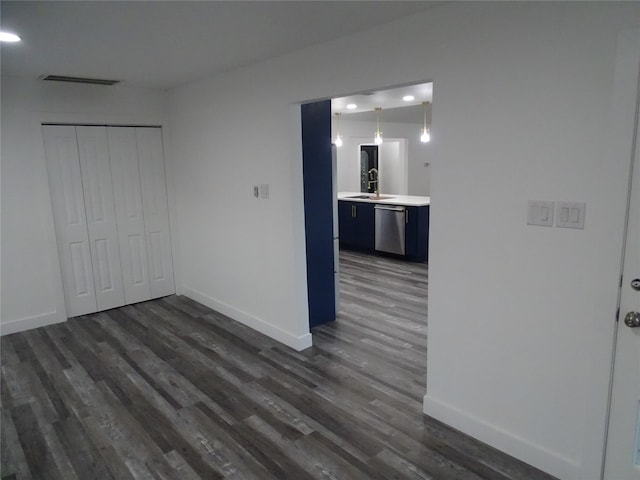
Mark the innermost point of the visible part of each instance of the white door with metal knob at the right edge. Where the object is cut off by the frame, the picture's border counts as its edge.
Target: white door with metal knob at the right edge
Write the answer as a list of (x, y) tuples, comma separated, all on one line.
[(623, 443)]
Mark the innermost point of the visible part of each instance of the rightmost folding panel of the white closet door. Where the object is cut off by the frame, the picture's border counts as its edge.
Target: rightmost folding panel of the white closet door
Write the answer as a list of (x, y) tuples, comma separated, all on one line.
[(156, 213)]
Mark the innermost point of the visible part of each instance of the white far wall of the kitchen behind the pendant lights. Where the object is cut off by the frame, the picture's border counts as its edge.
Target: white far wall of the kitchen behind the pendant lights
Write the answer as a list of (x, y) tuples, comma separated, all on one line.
[(415, 177)]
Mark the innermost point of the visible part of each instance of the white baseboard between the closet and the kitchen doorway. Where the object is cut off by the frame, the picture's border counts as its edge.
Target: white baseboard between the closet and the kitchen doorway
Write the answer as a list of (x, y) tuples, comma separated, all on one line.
[(297, 343)]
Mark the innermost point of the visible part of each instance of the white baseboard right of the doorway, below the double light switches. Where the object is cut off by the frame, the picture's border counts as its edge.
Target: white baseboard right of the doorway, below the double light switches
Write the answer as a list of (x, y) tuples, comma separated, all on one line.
[(520, 448)]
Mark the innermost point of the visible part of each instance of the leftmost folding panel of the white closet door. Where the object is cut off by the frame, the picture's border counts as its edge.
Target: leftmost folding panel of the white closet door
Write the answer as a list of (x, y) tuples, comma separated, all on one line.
[(65, 182)]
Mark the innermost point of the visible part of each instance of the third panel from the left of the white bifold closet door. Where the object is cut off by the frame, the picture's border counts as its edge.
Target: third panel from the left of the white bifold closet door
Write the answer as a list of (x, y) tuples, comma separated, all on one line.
[(130, 219)]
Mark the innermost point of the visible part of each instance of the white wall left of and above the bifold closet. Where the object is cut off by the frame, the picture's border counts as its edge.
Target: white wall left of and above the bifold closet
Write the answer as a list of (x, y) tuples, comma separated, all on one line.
[(31, 283)]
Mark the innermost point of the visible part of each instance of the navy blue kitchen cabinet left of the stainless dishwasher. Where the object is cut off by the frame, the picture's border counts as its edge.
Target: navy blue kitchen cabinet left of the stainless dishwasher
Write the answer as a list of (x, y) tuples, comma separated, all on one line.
[(357, 225)]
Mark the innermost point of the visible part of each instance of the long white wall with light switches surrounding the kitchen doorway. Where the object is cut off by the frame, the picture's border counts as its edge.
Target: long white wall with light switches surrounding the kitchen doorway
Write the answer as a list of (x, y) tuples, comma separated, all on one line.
[(520, 318)]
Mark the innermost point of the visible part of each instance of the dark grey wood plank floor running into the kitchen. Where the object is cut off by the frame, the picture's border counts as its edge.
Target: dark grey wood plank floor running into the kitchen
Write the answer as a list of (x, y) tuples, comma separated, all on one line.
[(169, 389)]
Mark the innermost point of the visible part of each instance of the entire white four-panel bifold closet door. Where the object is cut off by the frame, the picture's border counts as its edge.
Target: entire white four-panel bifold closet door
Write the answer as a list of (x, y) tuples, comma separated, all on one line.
[(110, 209)]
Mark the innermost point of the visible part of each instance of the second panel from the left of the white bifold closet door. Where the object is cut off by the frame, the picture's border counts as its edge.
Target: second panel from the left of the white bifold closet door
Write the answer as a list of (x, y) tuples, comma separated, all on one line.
[(101, 217)]
